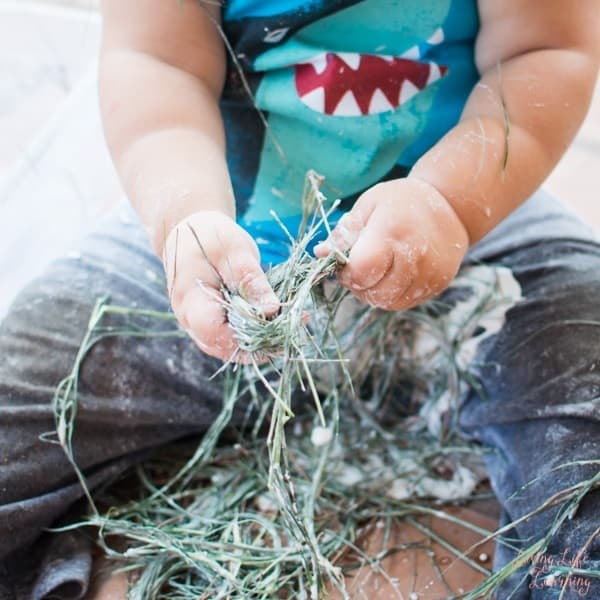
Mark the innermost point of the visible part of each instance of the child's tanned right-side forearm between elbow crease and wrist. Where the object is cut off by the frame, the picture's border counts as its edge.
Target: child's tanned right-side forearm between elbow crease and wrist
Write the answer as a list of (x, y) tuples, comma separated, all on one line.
[(517, 123)]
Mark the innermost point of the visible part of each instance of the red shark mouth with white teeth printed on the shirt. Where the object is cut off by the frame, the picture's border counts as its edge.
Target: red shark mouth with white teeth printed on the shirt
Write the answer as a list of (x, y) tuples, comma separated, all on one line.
[(350, 85)]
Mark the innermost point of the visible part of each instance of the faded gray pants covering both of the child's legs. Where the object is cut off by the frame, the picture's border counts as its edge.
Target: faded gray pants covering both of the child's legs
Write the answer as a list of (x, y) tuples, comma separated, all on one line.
[(540, 405)]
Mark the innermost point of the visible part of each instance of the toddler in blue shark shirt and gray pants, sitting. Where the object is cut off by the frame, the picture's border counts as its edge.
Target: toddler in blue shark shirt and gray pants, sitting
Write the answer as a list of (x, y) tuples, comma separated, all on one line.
[(434, 121)]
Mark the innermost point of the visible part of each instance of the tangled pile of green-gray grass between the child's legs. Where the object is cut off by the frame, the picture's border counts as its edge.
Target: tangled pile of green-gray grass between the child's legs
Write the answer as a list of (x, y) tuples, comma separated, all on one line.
[(374, 438)]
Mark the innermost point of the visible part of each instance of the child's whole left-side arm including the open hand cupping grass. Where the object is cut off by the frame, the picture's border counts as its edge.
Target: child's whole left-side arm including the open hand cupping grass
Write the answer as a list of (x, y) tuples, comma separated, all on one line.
[(162, 72)]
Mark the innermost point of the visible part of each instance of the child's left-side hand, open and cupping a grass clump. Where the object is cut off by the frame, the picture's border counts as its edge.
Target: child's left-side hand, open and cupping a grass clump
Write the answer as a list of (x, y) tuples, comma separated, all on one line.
[(222, 250)]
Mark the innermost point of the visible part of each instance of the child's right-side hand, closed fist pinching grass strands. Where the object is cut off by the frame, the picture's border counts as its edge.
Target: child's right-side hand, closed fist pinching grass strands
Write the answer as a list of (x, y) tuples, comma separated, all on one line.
[(406, 244)]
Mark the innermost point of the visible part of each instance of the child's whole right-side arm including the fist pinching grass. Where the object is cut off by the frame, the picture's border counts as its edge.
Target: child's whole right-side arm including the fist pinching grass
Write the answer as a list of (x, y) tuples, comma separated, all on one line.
[(538, 62)]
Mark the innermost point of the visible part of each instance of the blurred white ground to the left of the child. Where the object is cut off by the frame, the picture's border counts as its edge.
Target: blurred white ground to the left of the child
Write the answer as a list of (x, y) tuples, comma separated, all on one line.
[(56, 177)]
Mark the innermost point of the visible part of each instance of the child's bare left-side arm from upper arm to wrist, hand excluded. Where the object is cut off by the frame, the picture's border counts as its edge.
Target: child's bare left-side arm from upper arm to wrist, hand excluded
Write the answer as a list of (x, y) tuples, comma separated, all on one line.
[(162, 71)]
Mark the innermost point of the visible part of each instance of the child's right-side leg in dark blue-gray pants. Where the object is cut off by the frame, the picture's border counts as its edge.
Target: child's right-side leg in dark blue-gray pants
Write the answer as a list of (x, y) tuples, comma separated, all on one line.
[(540, 409)]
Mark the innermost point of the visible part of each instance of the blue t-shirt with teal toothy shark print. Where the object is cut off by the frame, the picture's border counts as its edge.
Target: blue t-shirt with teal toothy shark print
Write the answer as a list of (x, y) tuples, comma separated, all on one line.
[(356, 91)]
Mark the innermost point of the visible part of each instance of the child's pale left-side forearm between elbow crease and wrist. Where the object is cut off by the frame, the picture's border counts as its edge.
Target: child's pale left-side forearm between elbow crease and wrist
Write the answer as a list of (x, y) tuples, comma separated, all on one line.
[(167, 144)]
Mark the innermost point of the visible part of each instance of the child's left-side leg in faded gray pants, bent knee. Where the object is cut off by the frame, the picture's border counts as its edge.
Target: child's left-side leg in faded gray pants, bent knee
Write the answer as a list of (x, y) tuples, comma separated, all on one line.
[(134, 395)]
